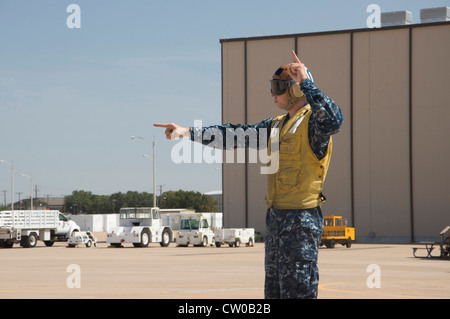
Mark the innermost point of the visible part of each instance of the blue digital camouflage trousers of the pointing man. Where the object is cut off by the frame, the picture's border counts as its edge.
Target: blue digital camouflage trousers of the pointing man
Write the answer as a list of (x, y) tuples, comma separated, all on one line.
[(292, 245)]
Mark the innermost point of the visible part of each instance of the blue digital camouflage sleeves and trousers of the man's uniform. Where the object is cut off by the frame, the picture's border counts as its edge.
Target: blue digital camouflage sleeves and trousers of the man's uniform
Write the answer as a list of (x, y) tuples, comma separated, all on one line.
[(292, 236)]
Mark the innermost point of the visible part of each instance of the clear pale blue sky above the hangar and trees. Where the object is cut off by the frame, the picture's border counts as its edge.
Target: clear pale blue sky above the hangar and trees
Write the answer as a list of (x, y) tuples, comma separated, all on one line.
[(71, 98)]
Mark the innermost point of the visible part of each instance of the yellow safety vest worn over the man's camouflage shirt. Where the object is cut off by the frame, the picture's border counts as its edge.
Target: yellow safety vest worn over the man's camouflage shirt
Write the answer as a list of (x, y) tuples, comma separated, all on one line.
[(298, 182)]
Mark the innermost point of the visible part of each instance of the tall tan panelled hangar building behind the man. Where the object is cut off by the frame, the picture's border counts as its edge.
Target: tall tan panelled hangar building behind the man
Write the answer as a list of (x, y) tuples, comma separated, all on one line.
[(388, 175)]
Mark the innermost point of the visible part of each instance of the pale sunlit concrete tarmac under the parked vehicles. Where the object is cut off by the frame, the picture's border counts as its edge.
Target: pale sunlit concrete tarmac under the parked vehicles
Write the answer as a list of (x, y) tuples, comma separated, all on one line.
[(364, 271)]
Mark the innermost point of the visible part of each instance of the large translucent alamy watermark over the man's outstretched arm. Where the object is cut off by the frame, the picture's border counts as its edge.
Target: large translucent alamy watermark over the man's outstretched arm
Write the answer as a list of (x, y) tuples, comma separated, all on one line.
[(233, 144)]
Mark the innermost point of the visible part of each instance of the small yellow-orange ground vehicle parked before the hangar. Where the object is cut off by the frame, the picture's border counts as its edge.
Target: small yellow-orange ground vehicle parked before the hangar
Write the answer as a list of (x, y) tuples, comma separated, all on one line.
[(335, 231)]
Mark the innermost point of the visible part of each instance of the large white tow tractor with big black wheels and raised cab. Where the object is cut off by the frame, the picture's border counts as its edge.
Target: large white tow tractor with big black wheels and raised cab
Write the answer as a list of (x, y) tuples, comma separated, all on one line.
[(140, 226)]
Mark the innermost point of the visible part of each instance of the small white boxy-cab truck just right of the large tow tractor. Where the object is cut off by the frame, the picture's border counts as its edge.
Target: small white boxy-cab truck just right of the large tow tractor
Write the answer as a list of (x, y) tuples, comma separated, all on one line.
[(195, 230)]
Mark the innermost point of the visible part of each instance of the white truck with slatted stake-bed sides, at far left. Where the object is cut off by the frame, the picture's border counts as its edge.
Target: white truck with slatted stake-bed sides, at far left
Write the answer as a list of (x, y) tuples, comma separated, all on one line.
[(28, 226)]
